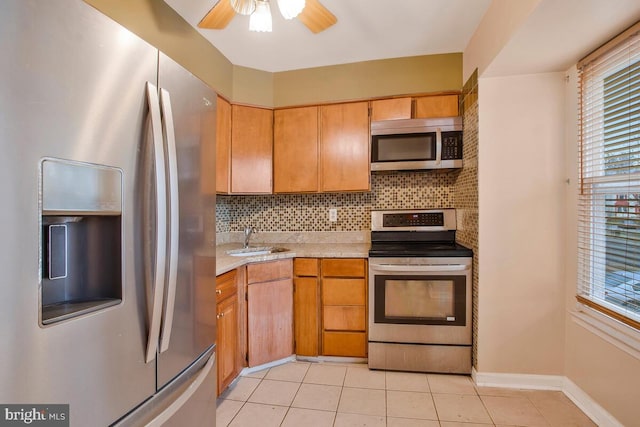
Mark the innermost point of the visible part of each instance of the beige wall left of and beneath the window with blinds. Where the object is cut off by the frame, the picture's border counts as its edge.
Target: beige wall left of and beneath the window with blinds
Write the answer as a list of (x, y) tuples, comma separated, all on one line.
[(605, 372)]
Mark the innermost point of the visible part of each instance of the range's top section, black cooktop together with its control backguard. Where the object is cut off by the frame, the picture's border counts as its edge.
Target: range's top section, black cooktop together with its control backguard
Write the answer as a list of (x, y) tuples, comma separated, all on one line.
[(415, 233)]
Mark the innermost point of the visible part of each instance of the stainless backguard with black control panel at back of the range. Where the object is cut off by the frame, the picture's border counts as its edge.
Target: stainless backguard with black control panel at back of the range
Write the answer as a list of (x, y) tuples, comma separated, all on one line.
[(414, 220)]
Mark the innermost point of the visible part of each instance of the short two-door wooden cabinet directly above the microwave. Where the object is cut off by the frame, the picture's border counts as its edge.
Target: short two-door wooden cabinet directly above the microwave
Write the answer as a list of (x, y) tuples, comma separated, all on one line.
[(417, 107)]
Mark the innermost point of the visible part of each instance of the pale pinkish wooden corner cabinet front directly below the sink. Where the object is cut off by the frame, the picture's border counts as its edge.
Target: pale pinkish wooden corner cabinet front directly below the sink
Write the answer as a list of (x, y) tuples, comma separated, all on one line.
[(269, 311)]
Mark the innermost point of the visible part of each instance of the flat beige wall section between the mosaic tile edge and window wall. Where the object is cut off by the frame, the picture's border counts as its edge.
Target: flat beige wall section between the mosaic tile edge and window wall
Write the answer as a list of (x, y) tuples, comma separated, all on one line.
[(521, 225)]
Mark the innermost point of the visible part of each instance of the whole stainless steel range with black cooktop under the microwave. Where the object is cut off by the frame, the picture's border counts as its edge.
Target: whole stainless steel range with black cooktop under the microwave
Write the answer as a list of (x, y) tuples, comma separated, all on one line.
[(419, 293)]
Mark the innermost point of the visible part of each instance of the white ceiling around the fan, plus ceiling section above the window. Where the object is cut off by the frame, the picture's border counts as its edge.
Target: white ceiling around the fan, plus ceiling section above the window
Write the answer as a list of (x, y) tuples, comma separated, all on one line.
[(555, 35)]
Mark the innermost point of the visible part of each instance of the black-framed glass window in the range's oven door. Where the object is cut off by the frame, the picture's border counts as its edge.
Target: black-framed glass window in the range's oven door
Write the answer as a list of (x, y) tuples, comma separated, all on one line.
[(429, 300)]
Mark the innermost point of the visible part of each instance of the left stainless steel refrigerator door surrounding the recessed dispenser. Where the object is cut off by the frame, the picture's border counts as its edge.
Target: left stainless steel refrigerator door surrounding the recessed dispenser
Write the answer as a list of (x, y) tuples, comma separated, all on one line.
[(73, 88)]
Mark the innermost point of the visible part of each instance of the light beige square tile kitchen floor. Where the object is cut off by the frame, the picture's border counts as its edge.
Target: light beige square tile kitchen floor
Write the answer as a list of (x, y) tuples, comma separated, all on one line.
[(327, 394)]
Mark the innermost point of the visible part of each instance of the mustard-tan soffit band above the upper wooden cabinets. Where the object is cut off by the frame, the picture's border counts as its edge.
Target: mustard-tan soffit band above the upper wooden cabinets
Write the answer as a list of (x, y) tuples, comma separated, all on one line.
[(162, 27)]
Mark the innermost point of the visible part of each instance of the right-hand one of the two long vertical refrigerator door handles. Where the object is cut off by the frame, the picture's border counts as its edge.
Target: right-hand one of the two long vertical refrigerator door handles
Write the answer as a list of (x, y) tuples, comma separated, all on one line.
[(174, 224)]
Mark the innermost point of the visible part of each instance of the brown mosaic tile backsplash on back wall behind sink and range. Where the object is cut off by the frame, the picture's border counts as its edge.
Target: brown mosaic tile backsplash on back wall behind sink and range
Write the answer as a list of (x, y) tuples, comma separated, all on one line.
[(310, 212)]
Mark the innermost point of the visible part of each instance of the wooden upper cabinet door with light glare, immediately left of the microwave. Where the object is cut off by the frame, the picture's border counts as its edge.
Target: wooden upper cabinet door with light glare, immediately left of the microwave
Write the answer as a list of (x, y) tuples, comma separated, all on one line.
[(344, 147)]
